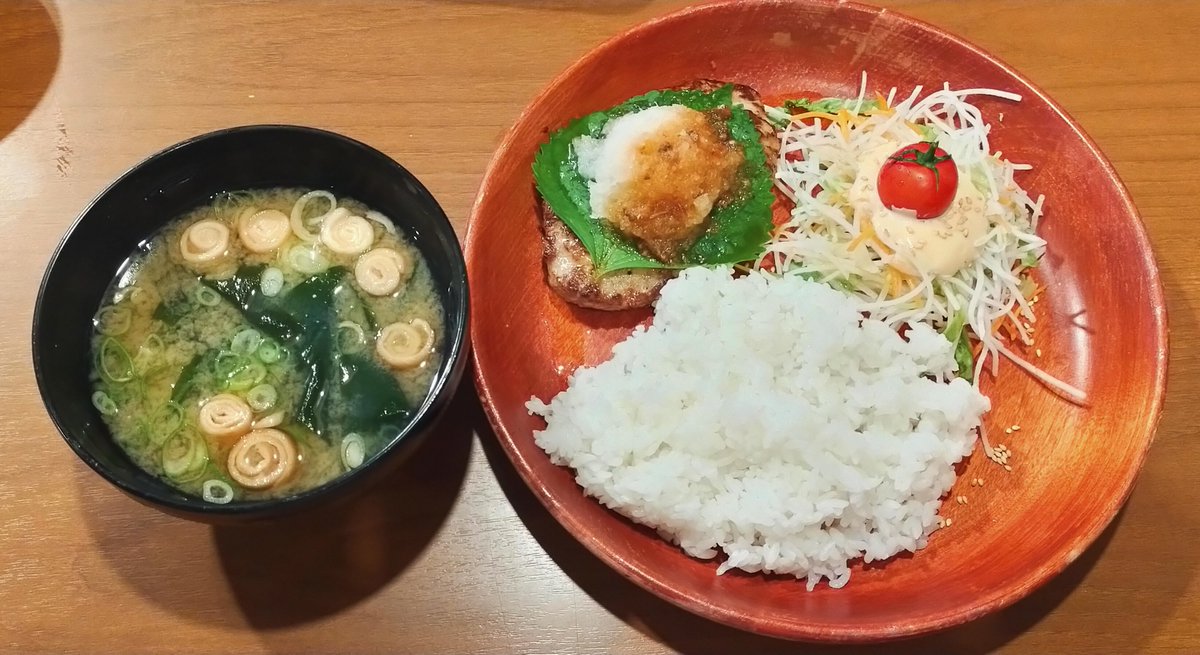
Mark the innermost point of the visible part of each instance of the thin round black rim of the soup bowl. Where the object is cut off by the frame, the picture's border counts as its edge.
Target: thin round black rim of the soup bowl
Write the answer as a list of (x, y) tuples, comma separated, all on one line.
[(458, 332)]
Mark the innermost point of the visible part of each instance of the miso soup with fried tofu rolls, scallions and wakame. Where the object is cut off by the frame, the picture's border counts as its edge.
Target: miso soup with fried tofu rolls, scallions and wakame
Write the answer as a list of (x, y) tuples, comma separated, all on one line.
[(266, 344)]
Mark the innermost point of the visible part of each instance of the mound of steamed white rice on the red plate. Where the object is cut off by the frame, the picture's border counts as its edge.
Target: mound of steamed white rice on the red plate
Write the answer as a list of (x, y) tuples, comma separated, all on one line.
[(764, 419)]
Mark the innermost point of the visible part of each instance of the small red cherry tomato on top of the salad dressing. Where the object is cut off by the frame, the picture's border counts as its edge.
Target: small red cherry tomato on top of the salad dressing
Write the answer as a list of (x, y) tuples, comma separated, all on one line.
[(920, 178)]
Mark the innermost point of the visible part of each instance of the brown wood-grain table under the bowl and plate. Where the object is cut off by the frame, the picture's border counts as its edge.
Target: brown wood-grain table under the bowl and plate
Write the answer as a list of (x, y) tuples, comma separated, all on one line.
[(453, 555)]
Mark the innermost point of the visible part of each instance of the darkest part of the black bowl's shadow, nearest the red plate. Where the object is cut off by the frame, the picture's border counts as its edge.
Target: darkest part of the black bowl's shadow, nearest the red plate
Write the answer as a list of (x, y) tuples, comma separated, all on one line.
[(313, 566)]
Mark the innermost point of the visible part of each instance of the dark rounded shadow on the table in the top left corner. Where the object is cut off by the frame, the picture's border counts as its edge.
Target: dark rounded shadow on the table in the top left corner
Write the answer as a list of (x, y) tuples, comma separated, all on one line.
[(29, 50)]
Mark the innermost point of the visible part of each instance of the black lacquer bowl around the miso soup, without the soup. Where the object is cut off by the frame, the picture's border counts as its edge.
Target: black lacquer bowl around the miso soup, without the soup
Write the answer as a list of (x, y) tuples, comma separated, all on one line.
[(184, 178)]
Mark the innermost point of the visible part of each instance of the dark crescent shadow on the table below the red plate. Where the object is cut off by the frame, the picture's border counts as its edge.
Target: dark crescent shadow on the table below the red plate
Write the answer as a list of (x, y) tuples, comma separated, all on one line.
[(686, 633)]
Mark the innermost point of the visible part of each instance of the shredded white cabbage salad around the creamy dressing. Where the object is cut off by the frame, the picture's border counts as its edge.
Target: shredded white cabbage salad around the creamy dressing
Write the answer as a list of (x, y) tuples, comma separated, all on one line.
[(815, 241)]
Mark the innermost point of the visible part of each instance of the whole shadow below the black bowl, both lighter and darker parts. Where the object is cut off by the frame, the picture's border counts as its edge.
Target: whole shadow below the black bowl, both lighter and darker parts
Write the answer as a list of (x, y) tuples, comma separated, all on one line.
[(297, 569)]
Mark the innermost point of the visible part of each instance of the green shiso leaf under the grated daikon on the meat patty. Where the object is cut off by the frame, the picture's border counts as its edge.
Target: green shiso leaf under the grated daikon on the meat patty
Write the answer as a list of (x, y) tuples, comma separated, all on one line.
[(737, 231)]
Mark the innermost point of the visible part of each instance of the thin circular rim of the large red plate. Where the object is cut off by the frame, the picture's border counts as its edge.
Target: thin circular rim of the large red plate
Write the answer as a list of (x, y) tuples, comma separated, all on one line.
[(801, 630)]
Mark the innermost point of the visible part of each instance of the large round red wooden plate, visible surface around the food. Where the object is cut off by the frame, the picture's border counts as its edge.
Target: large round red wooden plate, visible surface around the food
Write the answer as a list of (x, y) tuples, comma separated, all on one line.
[(1102, 326)]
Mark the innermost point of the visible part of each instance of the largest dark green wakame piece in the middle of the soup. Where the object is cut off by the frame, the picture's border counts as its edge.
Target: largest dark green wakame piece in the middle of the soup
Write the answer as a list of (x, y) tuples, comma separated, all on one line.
[(305, 321)]
